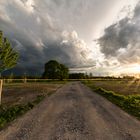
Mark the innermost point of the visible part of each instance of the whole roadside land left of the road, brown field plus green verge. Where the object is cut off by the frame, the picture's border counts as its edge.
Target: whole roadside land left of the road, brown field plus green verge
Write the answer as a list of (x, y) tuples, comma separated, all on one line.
[(18, 98)]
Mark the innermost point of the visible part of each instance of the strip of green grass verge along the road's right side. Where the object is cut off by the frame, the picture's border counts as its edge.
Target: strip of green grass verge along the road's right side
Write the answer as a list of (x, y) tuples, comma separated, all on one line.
[(129, 103)]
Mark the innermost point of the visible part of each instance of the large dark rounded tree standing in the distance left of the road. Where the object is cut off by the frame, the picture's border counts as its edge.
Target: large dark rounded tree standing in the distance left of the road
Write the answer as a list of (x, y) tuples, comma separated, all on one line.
[(55, 70)]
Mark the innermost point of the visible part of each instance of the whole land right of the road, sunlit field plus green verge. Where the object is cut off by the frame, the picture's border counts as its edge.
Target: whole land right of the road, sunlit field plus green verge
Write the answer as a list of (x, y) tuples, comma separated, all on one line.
[(123, 93)]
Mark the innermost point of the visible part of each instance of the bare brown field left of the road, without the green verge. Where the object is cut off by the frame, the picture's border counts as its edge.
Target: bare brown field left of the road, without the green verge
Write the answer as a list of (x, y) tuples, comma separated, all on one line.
[(19, 93)]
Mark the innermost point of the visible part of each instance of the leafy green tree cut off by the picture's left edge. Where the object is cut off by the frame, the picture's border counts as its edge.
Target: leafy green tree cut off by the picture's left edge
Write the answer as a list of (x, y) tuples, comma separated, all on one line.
[(8, 57)]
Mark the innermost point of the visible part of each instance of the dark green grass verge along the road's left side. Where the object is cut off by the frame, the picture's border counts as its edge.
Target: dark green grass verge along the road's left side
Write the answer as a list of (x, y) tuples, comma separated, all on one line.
[(8, 114)]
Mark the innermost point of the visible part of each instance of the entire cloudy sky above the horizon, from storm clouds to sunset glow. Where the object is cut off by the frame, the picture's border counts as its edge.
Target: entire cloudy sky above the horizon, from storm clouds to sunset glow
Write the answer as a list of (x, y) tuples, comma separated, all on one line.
[(93, 36)]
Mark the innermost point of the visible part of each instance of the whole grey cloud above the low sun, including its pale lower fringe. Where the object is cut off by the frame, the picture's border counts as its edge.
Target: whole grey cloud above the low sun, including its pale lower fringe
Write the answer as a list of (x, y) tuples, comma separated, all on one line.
[(121, 40)]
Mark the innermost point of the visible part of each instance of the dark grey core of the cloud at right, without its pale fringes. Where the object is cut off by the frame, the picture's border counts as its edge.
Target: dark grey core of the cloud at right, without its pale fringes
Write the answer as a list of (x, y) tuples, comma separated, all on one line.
[(117, 36)]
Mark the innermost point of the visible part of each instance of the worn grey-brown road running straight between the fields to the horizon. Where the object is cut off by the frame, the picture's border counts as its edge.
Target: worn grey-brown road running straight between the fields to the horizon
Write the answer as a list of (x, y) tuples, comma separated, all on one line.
[(74, 113)]
